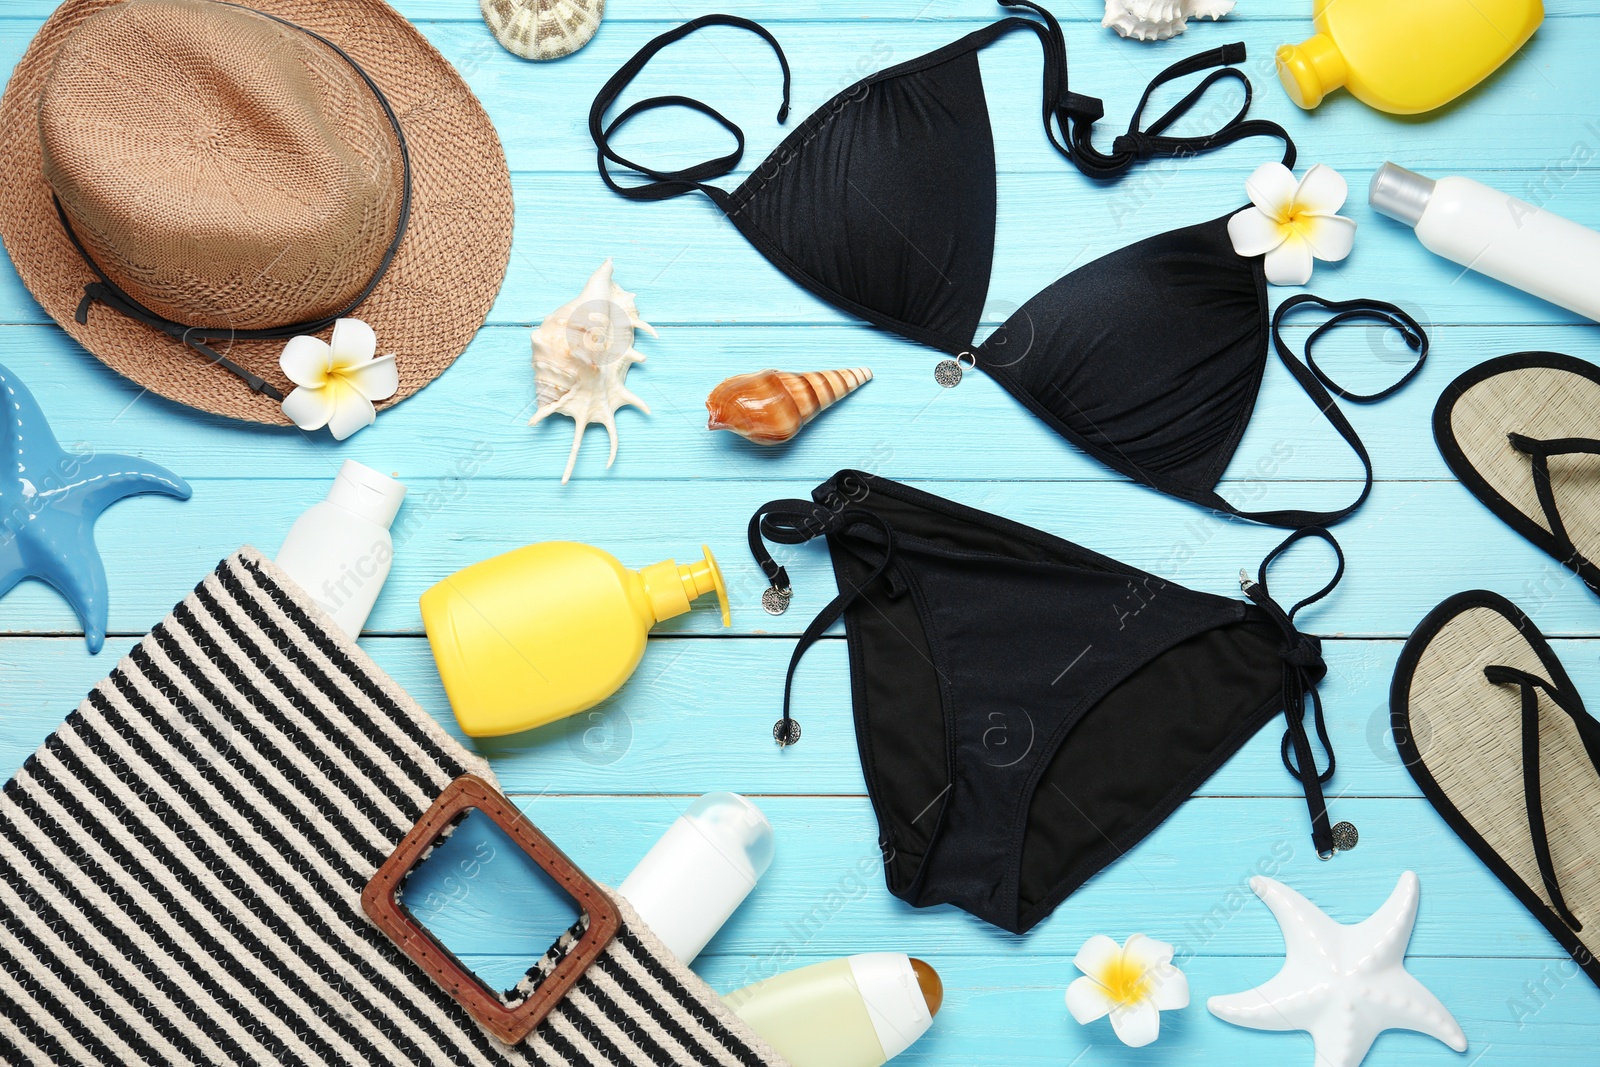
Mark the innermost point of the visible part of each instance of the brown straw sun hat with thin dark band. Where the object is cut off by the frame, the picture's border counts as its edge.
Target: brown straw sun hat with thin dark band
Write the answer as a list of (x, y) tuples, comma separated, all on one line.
[(185, 185)]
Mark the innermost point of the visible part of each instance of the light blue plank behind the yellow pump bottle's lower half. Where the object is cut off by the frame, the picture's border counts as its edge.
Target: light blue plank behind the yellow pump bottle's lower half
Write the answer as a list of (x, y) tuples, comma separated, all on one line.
[(697, 714)]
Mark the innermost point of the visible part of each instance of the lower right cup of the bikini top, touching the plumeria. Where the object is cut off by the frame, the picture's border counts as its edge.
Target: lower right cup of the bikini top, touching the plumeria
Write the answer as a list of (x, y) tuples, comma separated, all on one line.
[(1164, 398)]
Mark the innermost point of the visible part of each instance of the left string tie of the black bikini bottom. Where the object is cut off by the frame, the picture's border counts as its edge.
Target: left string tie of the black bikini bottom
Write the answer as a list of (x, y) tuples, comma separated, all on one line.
[(796, 522)]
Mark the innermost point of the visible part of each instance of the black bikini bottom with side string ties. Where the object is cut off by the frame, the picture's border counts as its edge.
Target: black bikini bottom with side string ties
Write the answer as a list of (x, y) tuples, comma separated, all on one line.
[(1026, 709)]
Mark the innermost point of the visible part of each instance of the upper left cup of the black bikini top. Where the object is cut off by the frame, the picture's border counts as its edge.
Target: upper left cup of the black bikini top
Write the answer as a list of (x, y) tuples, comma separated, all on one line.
[(908, 239)]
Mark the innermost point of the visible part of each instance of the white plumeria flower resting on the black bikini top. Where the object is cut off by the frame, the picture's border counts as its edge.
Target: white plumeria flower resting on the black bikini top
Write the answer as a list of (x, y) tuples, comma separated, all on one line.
[(1294, 223)]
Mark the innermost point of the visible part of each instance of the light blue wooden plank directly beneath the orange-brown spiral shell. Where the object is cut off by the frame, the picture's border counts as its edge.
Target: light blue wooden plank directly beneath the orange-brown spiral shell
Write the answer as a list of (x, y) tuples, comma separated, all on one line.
[(478, 412)]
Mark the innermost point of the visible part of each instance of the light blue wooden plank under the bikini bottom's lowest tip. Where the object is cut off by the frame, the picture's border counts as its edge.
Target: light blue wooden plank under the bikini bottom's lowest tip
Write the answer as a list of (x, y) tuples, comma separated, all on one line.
[(825, 892)]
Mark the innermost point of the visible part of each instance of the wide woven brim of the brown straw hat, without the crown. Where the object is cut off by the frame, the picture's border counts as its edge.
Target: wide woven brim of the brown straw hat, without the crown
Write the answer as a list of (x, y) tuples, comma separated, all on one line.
[(430, 303)]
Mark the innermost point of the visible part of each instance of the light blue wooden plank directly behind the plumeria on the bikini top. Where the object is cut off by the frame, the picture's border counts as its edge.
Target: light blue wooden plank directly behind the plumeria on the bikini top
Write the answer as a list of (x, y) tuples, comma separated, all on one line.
[(697, 270)]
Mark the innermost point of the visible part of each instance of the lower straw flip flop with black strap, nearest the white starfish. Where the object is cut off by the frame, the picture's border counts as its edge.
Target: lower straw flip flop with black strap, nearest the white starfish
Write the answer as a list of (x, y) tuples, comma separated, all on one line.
[(1500, 741)]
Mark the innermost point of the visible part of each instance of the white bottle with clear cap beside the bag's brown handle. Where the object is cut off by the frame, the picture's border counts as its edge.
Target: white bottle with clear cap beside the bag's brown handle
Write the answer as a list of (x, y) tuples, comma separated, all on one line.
[(702, 869)]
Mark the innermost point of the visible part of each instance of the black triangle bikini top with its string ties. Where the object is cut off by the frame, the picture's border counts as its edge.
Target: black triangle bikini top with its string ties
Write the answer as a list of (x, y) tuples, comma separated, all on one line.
[(884, 206)]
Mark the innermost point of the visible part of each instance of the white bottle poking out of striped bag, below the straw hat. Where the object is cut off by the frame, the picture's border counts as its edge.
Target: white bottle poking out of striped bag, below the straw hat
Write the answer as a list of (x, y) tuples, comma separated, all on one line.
[(340, 549)]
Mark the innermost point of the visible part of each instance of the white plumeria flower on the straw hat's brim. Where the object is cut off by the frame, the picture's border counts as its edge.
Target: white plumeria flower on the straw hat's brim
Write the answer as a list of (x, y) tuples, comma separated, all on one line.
[(337, 382)]
